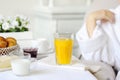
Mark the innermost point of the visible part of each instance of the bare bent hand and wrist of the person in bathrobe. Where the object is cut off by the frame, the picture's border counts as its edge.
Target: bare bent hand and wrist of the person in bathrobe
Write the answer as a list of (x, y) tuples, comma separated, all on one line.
[(103, 15)]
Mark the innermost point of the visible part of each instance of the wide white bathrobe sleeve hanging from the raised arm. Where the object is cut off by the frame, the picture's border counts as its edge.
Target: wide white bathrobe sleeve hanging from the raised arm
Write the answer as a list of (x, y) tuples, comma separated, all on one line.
[(95, 48)]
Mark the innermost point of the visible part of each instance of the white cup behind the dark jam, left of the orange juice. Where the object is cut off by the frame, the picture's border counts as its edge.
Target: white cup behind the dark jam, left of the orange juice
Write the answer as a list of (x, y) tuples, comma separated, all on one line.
[(43, 45)]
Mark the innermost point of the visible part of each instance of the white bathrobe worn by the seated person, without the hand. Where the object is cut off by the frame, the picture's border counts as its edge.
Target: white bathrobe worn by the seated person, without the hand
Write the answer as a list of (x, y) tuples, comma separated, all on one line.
[(104, 45)]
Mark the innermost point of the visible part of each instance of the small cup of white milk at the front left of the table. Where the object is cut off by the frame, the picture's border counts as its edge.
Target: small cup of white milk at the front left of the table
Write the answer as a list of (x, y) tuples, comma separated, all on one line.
[(20, 67)]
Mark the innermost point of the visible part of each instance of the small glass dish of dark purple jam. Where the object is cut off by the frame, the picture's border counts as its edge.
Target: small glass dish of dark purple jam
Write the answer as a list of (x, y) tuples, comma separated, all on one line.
[(31, 51)]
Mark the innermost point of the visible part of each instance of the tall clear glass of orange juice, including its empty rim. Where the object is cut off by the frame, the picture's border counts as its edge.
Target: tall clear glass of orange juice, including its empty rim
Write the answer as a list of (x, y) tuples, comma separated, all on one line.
[(63, 47)]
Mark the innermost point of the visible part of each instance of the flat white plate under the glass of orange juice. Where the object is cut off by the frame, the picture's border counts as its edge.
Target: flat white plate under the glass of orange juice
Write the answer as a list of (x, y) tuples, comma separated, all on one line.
[(50, 62)]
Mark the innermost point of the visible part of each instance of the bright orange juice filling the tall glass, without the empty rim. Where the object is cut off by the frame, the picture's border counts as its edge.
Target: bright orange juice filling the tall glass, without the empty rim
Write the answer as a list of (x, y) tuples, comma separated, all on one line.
[(63, 49)]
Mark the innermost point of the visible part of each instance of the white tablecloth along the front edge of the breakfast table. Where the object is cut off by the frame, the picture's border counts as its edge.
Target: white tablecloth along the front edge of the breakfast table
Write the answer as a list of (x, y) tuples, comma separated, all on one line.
[(39, 72)]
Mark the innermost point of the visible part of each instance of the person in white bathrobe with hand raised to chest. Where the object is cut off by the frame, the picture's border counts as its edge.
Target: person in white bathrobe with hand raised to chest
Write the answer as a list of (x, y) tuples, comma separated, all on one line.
[(99, 38)]
